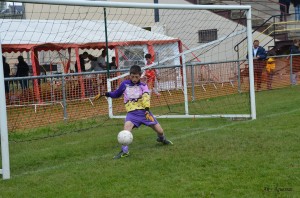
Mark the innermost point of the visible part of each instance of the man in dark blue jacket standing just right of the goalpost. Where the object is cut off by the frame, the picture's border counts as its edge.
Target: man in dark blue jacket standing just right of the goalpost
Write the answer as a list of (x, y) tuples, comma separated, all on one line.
[(259, 57)]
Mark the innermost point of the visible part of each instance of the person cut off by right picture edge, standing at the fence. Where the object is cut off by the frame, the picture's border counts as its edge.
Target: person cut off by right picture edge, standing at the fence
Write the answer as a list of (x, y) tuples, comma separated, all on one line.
[(295, 60)]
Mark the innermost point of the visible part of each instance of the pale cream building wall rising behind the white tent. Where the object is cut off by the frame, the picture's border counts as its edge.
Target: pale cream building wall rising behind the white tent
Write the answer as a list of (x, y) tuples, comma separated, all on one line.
[(172, 23)]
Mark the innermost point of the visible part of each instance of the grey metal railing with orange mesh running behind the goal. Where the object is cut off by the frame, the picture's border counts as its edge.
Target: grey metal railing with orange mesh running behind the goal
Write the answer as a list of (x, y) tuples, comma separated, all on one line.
[(42, 100)]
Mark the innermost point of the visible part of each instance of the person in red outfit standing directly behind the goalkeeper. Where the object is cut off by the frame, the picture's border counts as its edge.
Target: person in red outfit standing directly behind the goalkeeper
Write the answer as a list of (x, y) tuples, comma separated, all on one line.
[(151, 75)]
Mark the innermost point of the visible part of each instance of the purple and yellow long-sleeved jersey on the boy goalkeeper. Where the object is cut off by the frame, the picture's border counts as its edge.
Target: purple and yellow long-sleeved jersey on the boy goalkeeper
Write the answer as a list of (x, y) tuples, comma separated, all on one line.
[(136, 96)]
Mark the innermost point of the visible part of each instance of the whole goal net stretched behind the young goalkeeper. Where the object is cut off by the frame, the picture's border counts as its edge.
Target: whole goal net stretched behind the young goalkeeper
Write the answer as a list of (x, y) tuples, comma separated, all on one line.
[(198, 73)]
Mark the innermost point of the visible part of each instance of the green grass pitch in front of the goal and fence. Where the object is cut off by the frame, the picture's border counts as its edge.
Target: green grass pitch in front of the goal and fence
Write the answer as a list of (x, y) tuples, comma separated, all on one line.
[(209, 158)]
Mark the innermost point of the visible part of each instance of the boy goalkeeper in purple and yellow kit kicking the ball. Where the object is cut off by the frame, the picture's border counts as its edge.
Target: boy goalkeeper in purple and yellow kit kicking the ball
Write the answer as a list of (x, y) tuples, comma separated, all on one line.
[(137, 105)]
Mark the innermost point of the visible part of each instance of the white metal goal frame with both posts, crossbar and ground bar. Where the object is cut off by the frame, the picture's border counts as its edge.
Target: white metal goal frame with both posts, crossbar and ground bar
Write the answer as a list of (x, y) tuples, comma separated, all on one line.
[(5, 171)]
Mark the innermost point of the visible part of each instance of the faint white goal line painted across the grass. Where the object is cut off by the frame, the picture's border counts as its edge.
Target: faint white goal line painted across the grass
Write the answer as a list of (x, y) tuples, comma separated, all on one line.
[(195, 131)]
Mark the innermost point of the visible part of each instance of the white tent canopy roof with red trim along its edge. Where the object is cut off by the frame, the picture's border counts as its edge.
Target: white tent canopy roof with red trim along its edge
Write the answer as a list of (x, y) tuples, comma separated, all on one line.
[(24, 35)]
